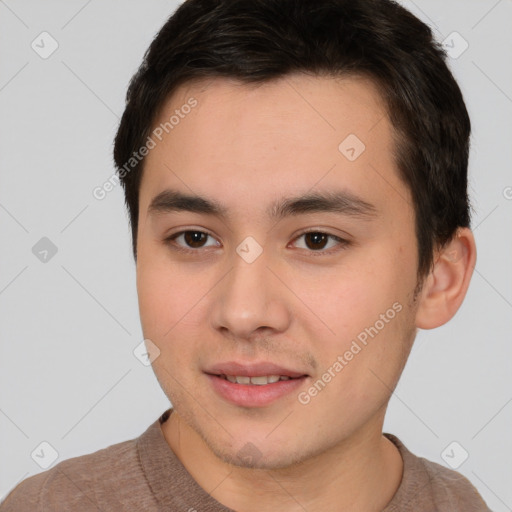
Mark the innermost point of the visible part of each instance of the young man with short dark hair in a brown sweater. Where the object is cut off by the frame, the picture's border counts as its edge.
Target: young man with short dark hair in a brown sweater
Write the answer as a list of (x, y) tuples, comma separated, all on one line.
[(296, 178)]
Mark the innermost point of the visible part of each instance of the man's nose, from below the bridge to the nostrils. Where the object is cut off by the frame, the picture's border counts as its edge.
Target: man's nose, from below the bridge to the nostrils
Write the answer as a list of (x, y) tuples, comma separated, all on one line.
[(250, 297)]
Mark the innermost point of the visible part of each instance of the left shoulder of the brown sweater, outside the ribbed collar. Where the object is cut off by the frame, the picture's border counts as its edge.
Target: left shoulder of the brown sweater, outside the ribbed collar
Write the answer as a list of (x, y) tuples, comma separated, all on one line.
[(83, 483)]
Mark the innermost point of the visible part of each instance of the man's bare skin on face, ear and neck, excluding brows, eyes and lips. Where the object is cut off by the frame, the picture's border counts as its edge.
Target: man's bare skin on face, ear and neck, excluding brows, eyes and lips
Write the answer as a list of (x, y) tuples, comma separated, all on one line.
[(246, 146)]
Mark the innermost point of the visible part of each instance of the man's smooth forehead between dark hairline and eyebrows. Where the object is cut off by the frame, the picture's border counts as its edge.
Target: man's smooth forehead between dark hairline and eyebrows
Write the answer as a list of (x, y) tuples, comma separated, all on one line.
[(243, 142)]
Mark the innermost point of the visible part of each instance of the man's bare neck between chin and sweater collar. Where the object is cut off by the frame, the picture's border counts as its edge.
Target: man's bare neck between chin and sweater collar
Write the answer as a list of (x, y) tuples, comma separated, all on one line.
[(362, 472)]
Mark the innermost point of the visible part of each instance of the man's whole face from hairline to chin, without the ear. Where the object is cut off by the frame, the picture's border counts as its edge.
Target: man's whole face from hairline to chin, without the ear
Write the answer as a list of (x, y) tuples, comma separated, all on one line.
[(256, 274)]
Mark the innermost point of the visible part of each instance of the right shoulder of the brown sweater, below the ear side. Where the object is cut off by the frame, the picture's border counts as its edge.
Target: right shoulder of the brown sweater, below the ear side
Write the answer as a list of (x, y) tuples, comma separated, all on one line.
[(436, 485)]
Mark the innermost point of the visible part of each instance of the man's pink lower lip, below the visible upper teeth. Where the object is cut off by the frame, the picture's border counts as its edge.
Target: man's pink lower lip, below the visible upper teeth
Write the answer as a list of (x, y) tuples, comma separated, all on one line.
[(252, 395)]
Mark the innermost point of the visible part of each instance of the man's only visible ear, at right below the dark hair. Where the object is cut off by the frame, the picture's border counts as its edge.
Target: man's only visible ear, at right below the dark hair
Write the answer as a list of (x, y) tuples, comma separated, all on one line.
[(446, 285)]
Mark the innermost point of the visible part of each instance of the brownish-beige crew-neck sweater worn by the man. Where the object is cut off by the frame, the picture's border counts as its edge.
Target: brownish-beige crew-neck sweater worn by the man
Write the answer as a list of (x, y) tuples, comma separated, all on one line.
[(144, 474)]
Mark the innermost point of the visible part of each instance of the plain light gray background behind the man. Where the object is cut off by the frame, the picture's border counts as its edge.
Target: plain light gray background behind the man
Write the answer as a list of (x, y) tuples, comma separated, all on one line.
[(69, 325)]
